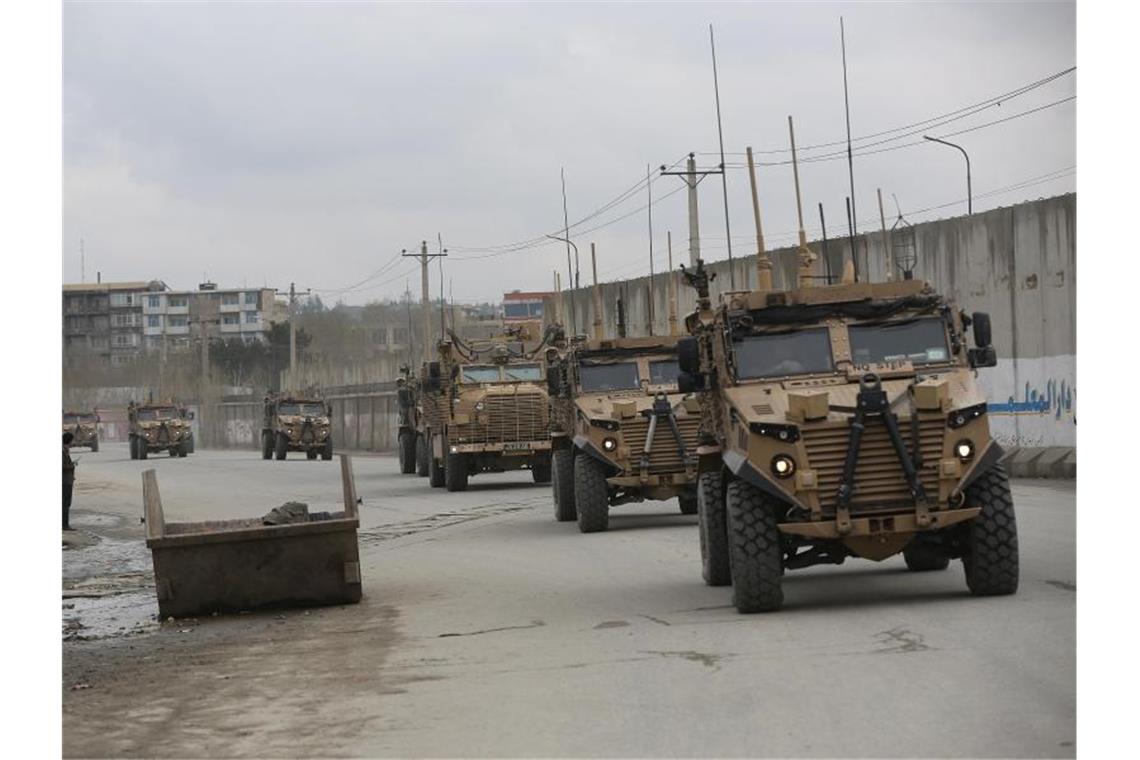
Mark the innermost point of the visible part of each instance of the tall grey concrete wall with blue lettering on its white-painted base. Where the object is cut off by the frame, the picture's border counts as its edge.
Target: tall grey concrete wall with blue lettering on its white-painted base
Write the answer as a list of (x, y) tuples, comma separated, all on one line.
[(1017, 264)]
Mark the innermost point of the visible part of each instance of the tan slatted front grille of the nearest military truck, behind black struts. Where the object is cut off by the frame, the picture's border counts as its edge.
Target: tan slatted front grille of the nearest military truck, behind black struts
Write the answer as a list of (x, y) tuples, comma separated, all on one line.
[(880, 479)]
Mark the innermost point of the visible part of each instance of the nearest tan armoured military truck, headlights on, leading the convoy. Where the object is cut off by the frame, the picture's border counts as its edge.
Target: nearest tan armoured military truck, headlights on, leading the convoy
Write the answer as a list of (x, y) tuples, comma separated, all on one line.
[(844, 421)]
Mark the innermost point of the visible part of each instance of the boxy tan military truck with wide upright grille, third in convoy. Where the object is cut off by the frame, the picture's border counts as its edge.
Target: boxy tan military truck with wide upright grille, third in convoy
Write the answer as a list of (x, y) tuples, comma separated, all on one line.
[(485, 408)]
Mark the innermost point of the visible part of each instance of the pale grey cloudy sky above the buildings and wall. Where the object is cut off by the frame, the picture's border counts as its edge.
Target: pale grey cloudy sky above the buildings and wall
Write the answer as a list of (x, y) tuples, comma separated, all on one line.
[(264, 144)]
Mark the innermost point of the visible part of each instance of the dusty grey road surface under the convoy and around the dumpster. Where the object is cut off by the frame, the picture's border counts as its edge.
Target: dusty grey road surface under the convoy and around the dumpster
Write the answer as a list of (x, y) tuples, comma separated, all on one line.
[(488, 630)]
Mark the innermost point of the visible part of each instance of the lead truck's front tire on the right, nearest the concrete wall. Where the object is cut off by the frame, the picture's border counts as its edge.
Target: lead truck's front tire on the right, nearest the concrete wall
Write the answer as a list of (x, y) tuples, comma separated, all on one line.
[(992, 559)]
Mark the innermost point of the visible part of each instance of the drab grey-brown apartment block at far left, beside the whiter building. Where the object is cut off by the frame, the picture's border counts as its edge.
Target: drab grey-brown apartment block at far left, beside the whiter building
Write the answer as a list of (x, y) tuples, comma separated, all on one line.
[(105, 320)]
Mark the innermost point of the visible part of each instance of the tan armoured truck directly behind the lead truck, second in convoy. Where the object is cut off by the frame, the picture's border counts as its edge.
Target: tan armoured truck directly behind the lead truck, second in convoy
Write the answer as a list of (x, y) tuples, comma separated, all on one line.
[(624, 432)]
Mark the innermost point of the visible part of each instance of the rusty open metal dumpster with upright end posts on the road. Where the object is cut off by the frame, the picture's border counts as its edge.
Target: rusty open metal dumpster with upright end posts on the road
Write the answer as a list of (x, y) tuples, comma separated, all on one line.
[(242, 565)]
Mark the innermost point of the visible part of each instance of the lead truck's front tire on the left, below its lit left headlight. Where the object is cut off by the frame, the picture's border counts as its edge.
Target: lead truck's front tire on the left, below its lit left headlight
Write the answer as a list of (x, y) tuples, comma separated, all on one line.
[(754, 550)]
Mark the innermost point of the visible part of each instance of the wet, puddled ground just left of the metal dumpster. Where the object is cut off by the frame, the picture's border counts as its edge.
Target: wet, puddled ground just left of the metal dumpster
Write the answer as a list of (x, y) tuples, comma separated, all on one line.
[(108, 582)]
